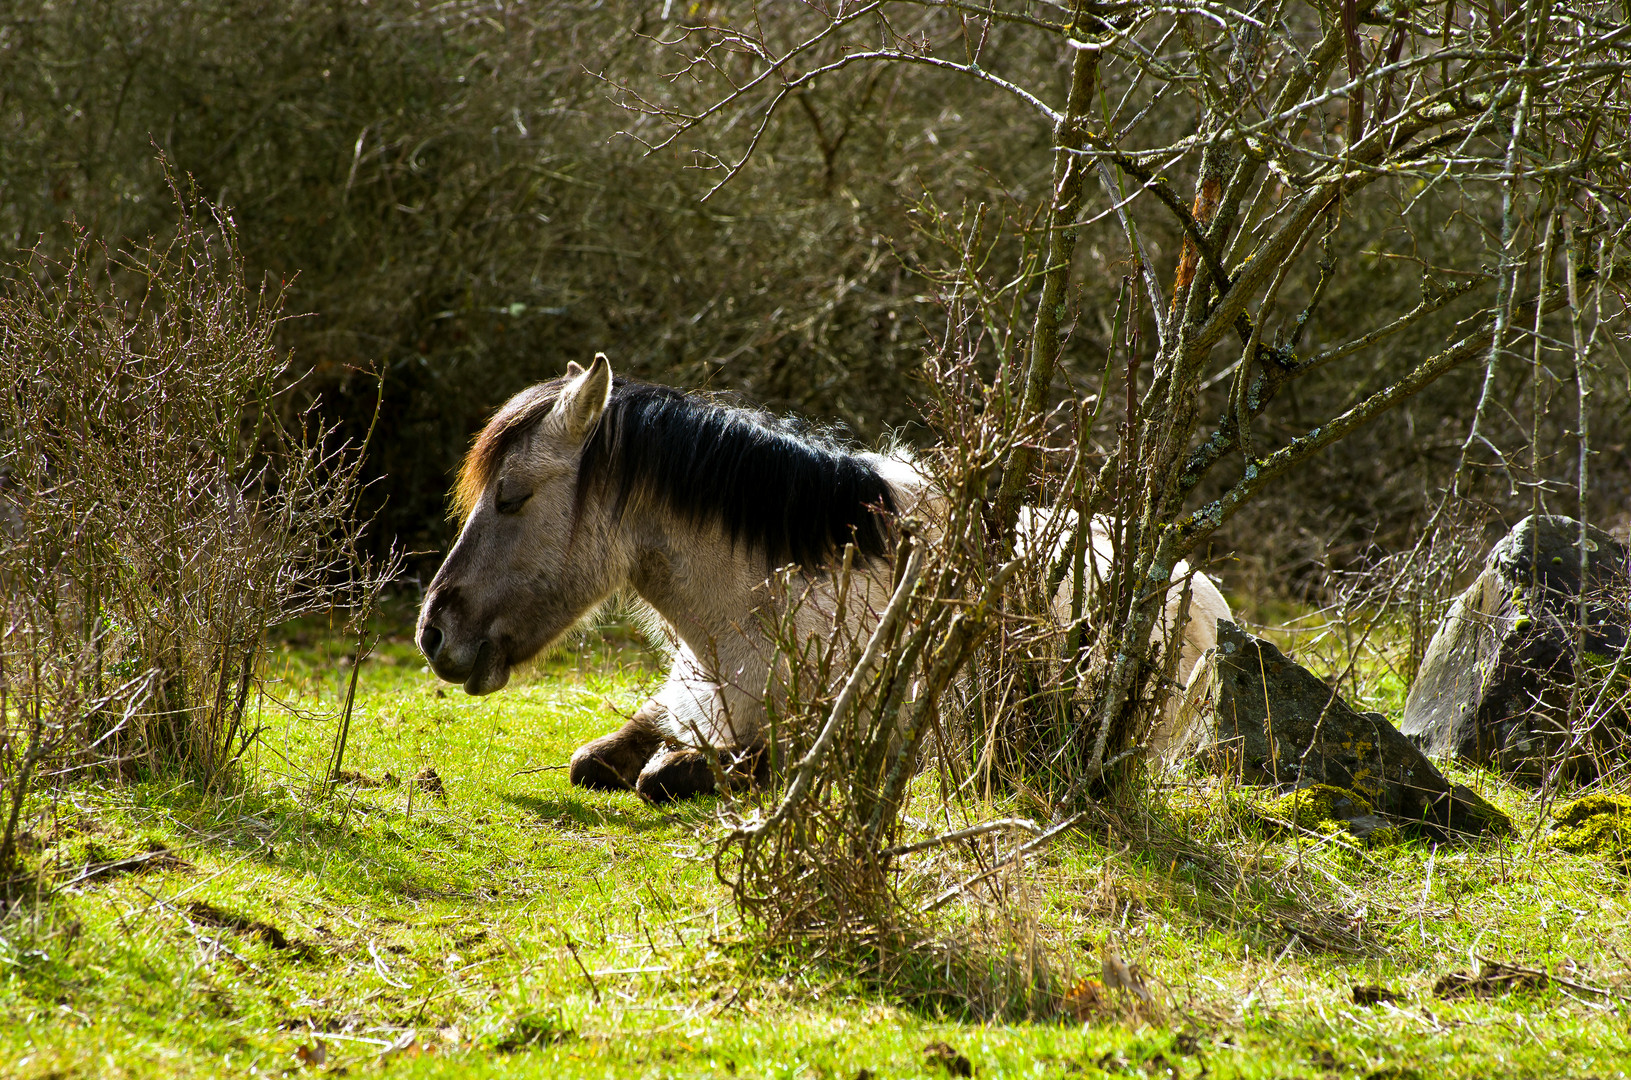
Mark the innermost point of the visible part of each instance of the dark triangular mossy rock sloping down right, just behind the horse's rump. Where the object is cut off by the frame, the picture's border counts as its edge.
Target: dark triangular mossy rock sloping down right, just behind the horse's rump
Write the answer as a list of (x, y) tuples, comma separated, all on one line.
[(1255, 714)]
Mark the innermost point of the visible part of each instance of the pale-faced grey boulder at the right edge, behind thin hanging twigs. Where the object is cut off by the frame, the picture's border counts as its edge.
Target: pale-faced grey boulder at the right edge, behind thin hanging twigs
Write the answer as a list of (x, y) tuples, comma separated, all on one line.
[(1496, 681)]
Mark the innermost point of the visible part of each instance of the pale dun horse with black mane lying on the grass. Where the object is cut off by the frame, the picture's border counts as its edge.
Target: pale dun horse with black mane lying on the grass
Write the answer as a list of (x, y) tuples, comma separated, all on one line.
[(591, 484)]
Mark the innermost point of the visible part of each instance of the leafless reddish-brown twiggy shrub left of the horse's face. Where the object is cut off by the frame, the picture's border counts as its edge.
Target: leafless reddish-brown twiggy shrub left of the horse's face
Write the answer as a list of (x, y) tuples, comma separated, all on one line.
[(164, 507)]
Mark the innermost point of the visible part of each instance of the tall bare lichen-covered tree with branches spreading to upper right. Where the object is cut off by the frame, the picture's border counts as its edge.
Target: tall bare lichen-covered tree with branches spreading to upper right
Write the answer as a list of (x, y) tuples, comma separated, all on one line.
[(1351, 126)]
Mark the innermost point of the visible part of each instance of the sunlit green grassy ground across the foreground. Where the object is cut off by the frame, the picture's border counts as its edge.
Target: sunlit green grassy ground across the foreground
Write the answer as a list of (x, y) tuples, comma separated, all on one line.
[(526, 929)]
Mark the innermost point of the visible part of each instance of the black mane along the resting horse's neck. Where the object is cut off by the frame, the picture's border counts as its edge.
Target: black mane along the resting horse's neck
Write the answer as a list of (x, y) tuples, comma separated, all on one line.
[(776, 485)]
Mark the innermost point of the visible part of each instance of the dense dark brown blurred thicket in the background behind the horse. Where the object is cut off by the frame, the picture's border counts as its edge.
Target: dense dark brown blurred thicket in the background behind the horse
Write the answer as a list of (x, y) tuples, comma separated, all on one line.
[(446, 192)]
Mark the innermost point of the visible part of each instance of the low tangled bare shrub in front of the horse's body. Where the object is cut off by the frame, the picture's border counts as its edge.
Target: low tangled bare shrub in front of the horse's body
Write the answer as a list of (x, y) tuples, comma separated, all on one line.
[(864, 856)]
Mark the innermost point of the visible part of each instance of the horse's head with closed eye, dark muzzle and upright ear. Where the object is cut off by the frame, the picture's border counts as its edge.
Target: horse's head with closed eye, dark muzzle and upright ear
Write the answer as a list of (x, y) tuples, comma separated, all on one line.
[(529, 560)]
